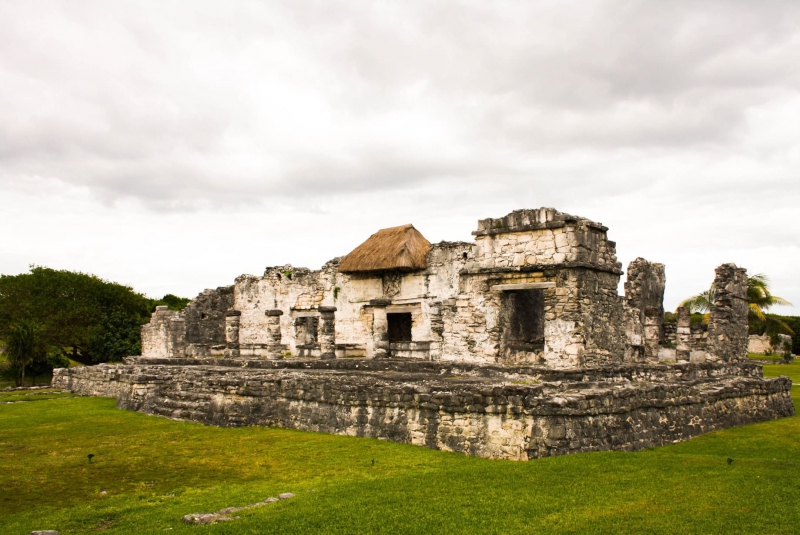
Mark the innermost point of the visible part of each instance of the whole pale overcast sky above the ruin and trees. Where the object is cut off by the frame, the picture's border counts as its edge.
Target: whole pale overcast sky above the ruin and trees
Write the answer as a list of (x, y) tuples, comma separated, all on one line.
[(172, 146)]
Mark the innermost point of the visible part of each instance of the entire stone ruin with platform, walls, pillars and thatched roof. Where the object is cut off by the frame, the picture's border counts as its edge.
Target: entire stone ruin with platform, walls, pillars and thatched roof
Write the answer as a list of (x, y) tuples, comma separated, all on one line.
[(515, 346)]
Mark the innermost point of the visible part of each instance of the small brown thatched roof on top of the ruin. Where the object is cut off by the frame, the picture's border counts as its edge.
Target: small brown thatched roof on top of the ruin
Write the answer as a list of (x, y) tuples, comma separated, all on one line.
[(402, 248)]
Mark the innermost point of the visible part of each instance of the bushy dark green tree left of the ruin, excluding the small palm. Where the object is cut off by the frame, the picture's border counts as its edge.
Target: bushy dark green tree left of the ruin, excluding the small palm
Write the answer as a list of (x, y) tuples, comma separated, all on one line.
[(88, 319)]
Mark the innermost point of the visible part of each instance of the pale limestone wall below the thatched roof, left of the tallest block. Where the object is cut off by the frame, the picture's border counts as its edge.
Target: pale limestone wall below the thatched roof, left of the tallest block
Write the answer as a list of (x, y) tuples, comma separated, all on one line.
[(300, 293)]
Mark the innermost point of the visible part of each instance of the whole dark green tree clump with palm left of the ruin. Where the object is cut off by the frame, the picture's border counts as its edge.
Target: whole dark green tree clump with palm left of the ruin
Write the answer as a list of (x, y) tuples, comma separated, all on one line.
[(48, 317)]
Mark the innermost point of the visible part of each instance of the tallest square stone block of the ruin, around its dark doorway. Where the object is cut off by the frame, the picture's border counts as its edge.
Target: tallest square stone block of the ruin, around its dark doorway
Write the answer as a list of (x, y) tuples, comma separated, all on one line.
[(583, 313)]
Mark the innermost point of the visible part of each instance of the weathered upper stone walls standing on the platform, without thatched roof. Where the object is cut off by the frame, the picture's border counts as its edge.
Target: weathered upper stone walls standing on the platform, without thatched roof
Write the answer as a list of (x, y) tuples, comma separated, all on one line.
[(461, 306)]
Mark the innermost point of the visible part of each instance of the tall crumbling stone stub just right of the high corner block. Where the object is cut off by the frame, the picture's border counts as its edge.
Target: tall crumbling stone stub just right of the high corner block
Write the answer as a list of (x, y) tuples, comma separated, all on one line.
[(644, 298)]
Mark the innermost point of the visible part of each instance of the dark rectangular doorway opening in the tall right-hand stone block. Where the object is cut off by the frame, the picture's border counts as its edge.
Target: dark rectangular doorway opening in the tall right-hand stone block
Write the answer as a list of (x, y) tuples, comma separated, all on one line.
[(523, 312)]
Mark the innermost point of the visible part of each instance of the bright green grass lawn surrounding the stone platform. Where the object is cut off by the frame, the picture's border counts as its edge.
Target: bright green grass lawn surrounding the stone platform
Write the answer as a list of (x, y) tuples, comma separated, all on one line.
[(154, 471)]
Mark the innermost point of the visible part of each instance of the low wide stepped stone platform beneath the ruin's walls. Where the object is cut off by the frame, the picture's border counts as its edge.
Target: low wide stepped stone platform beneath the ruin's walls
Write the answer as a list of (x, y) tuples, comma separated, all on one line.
[(489, 411)]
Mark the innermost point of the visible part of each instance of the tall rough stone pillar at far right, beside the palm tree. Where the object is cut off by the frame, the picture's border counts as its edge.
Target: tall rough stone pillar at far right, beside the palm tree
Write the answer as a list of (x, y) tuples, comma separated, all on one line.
[(727, 325)]
